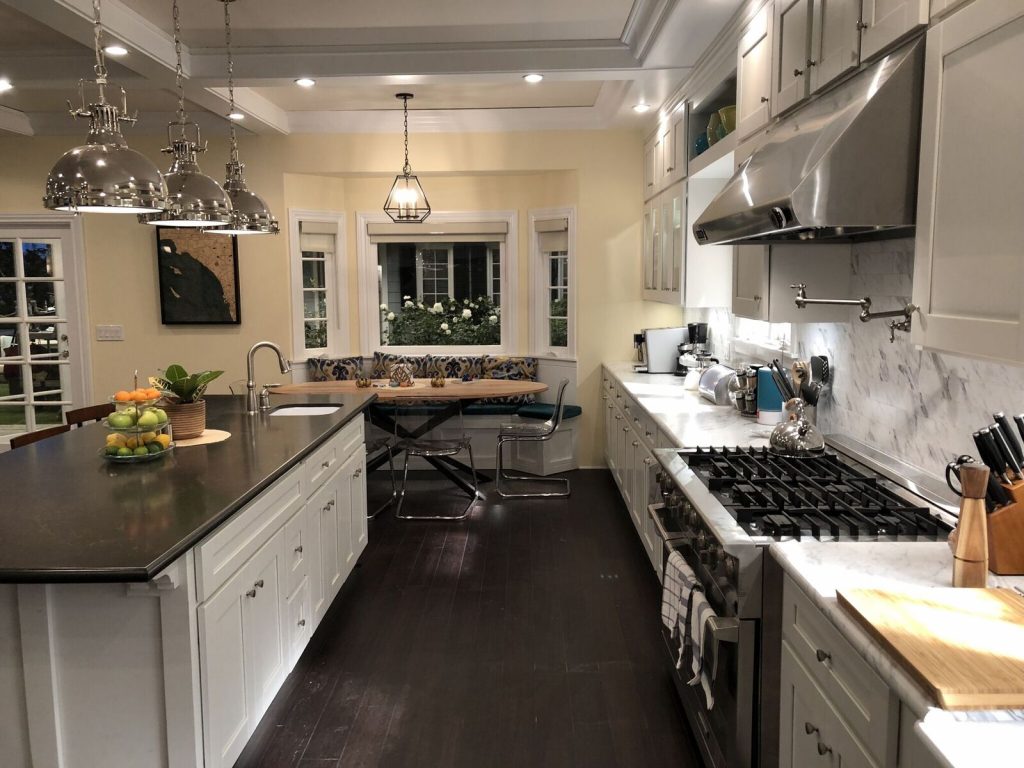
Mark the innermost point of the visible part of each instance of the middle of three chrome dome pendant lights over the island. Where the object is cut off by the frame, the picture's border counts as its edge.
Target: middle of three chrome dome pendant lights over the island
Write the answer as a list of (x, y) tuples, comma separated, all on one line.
[(193, 198)]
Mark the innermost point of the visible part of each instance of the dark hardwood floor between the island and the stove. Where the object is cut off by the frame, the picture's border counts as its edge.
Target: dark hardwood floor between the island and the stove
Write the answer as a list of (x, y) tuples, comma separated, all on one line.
[(526, 636)]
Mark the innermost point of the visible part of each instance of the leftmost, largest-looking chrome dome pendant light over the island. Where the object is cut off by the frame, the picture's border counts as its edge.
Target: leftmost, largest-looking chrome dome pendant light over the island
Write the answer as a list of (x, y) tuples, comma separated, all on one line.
[(104, 176)]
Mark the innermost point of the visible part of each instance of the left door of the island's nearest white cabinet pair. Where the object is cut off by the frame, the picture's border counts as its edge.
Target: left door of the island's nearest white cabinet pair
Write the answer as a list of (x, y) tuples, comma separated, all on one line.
[(228, 717)]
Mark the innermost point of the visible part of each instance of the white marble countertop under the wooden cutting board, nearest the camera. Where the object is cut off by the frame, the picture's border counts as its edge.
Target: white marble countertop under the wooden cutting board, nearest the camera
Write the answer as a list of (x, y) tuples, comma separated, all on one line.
[(958, 739)]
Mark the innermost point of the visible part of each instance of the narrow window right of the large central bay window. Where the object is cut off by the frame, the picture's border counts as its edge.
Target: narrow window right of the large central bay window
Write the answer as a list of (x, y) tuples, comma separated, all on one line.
[(553, 324)]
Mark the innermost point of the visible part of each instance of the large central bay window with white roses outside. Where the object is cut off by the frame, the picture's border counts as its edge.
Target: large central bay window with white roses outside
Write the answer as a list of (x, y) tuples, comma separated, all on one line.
[(438, 284)]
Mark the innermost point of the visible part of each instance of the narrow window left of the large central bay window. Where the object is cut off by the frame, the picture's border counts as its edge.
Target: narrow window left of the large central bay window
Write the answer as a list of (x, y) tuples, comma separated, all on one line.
[(317, 239)]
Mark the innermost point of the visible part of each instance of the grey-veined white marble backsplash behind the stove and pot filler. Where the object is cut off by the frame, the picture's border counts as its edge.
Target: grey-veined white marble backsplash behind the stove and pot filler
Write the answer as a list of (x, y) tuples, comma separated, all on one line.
[(918, 406)]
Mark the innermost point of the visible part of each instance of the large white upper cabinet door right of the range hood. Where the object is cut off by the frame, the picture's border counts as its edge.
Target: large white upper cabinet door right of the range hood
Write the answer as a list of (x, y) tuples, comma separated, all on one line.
[(969, 276)]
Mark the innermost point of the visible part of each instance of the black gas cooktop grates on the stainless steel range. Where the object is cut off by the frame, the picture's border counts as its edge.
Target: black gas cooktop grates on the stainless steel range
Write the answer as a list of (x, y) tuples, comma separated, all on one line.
[(821, 497)]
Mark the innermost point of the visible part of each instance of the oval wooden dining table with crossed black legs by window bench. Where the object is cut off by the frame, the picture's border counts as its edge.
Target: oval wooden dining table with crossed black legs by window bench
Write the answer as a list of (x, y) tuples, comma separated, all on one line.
[(452, 399)]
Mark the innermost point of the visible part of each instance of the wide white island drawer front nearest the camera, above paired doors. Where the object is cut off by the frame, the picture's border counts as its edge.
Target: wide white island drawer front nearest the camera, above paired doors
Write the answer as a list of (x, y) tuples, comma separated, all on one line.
[(225, 551)]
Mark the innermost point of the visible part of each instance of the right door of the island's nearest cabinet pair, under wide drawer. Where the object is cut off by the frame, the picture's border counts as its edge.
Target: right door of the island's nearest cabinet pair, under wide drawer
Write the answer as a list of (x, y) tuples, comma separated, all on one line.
[(265, 605)]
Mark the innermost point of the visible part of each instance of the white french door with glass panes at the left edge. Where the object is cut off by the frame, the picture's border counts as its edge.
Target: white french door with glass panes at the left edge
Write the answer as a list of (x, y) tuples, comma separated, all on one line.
[(44, 364)]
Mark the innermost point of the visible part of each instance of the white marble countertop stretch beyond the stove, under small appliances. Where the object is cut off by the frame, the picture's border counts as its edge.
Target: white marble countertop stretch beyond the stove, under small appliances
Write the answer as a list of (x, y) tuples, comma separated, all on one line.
[(687, 418)]
